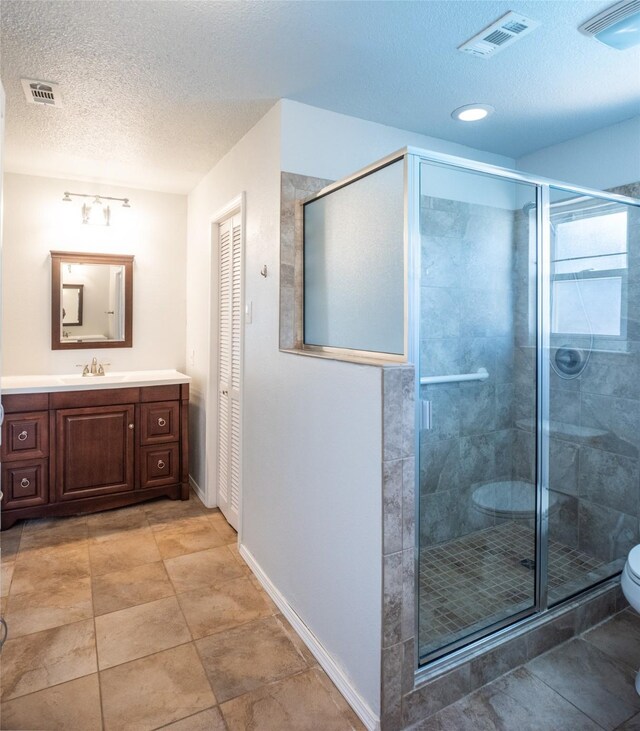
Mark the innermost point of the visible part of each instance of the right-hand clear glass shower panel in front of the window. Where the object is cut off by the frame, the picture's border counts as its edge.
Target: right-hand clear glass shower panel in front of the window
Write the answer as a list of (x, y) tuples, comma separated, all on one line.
[(594, 395)]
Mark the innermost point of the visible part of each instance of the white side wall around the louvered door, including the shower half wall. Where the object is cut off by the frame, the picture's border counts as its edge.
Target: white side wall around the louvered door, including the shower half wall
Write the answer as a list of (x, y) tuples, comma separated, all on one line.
[(311, 513)]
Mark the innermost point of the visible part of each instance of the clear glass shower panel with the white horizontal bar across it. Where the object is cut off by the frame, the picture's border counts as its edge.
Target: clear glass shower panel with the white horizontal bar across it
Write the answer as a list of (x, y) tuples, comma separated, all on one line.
[(477, 367)]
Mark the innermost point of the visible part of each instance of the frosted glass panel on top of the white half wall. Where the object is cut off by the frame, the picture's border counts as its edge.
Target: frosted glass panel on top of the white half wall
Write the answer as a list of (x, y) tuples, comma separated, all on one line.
[(354, 265)]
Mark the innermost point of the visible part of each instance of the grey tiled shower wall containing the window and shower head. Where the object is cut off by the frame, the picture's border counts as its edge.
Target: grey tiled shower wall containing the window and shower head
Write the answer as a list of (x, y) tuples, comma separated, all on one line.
[(595, 427)]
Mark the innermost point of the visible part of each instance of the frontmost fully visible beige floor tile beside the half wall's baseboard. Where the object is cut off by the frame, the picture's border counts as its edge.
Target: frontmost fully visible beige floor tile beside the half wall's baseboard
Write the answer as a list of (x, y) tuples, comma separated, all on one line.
[(242, 659)]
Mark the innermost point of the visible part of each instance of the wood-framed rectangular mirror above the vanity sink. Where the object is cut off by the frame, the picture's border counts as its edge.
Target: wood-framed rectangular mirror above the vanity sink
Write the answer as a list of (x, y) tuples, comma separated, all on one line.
[(91, 300)]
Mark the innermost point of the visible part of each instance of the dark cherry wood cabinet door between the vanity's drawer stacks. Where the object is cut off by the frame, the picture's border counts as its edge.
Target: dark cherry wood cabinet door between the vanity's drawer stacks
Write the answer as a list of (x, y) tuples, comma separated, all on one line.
[(94, 451)]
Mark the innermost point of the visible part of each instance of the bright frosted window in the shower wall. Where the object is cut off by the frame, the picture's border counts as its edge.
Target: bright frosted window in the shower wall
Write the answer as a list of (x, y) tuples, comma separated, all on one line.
[(589, 268)]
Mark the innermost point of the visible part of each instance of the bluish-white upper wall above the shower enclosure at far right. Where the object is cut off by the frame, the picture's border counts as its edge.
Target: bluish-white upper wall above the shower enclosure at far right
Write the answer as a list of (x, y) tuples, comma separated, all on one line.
[(602, 159)]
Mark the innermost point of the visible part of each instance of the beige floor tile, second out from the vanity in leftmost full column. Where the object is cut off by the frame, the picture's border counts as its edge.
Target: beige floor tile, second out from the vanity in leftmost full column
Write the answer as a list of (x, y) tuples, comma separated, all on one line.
[(48, 569)]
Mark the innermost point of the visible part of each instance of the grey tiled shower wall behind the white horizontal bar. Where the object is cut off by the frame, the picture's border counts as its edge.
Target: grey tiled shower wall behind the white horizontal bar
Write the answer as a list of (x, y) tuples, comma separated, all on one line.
[(466, 323)]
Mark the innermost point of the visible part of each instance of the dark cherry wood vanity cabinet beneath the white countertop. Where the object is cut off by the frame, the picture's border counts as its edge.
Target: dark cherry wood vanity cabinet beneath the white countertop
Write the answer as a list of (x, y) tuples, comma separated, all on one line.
[(71, 452)]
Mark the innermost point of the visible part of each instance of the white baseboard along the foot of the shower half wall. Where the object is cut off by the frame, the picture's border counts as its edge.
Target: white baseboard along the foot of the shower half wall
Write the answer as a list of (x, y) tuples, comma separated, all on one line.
[(332, 669)]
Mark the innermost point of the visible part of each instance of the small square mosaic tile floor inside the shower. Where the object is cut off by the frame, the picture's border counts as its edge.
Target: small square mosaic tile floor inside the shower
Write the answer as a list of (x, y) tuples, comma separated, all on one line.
[(484, 577)]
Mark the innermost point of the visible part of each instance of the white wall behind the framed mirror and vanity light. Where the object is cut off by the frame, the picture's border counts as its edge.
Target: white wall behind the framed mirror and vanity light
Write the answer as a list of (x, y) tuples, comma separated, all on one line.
[(37, 221)]
